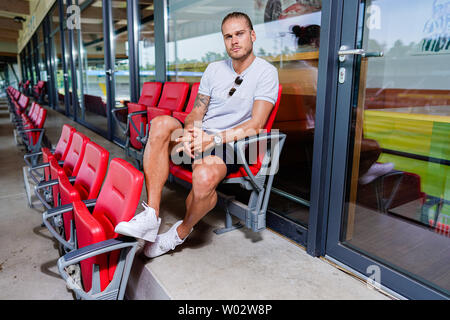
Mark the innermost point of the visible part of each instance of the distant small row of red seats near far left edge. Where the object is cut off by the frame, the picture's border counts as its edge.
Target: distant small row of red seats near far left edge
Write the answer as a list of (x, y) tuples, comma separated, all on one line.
[(29, 125)]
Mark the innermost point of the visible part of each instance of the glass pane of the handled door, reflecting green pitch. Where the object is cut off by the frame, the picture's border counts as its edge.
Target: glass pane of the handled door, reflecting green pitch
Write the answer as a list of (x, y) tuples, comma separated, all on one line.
[(398, 184)]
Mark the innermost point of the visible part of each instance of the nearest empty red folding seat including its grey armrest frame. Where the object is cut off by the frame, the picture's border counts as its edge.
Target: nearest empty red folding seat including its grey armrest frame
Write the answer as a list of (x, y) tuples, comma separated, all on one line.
[(104, 258)]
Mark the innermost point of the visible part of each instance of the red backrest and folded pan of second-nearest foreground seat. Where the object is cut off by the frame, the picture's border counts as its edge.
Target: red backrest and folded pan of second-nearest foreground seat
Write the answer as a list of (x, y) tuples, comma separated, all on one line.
[(87, 182)]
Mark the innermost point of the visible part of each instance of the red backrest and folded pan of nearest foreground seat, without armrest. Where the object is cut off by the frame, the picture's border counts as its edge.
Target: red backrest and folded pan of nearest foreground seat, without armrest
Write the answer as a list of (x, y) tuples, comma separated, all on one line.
[(116, 202)]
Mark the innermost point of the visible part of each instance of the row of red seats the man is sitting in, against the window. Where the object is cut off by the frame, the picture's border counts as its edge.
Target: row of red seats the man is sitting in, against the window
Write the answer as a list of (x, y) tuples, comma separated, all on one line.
[(169, 100)]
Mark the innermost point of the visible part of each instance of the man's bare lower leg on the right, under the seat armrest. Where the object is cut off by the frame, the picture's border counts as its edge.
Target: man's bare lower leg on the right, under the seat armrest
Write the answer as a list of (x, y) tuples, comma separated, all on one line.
[(206, 176)]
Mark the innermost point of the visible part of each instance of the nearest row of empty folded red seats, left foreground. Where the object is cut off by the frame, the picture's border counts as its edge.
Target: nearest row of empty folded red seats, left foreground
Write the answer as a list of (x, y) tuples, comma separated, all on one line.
[(85, 200)]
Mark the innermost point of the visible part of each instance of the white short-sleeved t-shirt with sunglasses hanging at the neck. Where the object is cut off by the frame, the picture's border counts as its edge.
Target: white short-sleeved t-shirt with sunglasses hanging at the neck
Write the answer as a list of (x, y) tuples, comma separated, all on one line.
[(260, 82)]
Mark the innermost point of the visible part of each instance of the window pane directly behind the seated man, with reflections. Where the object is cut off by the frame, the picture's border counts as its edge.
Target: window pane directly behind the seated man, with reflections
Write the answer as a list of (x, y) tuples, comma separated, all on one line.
[(287, 35)]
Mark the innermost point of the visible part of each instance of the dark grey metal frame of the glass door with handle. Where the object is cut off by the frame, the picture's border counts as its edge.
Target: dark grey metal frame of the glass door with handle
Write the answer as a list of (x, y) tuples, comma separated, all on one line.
[(390, 277)]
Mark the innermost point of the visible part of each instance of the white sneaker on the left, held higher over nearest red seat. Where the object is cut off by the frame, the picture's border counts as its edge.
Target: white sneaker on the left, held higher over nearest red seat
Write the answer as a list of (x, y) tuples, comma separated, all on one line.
[(144, 225)]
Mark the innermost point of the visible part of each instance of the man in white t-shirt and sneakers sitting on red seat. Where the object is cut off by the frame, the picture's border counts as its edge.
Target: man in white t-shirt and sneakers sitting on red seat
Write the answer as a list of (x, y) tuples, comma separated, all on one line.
[(234, 101)]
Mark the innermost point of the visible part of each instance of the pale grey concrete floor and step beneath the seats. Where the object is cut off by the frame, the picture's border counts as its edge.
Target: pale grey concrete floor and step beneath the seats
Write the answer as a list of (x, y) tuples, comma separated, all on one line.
[(236, 265)]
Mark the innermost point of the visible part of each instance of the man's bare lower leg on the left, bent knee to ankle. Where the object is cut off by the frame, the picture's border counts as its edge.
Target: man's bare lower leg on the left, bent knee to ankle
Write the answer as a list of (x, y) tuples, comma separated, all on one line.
[(156, 158)]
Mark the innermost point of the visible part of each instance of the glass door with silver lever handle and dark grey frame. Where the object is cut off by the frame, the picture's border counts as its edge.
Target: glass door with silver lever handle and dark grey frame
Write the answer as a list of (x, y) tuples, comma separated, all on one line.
[(389, 210)]
